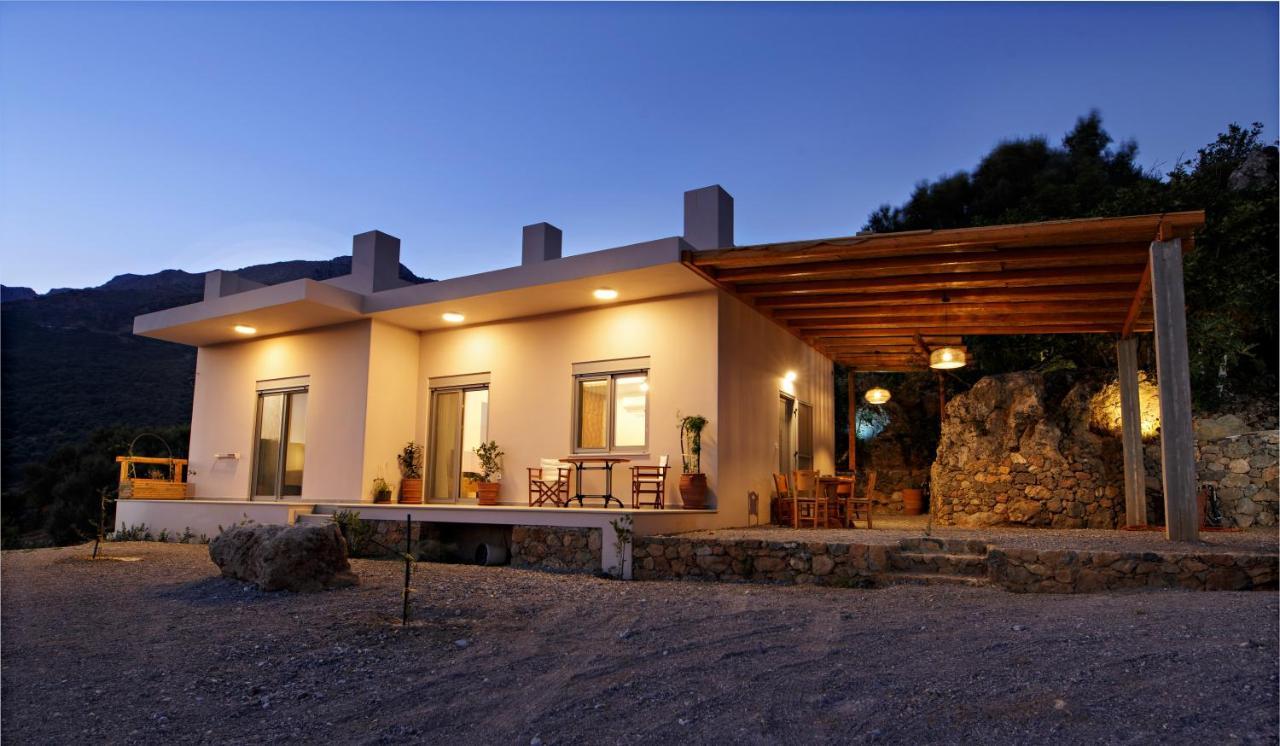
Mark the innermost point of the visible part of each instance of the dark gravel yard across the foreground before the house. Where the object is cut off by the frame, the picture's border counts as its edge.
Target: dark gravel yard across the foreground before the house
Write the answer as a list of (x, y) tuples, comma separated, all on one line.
[(163, 651)]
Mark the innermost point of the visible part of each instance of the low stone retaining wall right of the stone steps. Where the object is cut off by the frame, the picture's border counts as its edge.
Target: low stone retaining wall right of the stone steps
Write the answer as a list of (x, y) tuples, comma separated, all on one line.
[(1077, 573)]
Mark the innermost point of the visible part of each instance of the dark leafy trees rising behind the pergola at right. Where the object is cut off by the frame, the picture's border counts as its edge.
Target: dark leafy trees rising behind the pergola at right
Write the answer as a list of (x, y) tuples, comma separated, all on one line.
[(1231, 278)]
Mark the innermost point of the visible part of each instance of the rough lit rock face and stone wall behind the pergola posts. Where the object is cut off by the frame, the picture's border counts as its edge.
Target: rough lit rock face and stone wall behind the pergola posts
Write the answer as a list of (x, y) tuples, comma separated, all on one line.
[(1009, 456)]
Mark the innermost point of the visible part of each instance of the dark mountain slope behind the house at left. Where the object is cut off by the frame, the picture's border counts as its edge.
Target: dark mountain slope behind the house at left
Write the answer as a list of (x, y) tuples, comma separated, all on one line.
[(70, 363)]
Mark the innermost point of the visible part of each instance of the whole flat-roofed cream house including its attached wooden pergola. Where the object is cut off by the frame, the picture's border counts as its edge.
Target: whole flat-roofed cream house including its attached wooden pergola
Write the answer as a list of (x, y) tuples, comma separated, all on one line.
[(307, 391)]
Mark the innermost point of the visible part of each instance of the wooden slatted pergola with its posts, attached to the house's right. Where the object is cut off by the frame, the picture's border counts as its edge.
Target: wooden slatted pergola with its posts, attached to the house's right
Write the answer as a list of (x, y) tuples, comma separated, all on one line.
[(883, 303)]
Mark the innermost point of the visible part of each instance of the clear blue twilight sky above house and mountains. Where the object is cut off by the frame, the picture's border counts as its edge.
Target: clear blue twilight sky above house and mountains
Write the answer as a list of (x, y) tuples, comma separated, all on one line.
[(136, 138)]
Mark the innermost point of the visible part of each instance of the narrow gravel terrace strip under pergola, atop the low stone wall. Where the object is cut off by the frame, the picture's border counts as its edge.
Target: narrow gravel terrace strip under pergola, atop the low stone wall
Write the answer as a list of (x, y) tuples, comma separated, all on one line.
[(892, 529)]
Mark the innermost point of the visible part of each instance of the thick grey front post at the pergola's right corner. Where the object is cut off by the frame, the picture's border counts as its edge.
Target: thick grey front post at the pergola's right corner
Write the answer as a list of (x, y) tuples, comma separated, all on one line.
[(1173, 368)]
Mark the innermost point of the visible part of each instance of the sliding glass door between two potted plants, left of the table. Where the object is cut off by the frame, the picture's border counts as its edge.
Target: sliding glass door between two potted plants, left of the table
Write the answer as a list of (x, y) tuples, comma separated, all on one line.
[(460, 423)]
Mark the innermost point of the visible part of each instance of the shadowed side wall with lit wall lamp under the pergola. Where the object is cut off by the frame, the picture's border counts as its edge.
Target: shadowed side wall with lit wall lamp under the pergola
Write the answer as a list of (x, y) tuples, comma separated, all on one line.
[(755, 356)]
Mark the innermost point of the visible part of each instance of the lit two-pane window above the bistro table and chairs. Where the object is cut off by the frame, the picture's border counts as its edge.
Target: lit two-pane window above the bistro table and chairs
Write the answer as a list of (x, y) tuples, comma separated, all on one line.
[(611, 413)]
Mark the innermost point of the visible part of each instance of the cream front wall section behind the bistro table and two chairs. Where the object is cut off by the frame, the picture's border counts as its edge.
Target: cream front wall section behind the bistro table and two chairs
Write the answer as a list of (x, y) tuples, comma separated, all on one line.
[(532, 382)]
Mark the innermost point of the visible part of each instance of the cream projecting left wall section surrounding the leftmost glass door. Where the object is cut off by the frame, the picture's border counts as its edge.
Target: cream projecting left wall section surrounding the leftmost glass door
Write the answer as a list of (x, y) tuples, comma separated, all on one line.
[(226, 402)]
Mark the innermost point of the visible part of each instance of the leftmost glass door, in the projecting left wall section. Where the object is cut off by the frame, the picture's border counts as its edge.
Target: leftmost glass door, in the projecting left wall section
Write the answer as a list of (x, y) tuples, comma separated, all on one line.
[(280, 446)]
